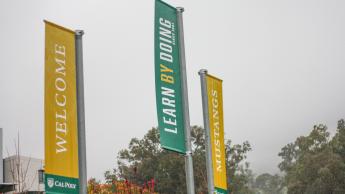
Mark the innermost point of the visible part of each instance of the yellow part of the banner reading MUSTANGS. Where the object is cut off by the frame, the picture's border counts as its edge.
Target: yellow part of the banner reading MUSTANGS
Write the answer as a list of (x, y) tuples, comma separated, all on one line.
[(215, 109)]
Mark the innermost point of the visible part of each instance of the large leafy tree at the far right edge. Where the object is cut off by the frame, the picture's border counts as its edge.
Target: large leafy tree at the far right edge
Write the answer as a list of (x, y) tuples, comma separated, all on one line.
[(315, 164)]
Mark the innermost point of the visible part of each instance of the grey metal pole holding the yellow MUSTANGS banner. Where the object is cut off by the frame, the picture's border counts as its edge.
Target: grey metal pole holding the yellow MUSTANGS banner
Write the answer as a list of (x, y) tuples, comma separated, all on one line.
[(210, 184)]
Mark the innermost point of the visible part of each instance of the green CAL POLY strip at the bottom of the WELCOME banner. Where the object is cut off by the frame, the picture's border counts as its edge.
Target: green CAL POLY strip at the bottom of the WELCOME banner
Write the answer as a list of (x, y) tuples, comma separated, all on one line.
[(59, 184)]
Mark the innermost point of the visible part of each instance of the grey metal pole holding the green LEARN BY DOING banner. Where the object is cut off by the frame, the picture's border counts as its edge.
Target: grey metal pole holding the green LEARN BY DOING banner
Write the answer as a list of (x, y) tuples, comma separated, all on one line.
[(188, 157)]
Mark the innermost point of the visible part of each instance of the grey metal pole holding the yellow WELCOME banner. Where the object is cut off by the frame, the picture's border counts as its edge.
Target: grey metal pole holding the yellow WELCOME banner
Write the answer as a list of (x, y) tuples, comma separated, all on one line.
[(81, 112)]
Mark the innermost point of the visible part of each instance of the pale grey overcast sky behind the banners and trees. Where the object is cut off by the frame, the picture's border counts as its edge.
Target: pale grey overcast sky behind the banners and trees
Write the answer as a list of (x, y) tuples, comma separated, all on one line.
[(282, 62)]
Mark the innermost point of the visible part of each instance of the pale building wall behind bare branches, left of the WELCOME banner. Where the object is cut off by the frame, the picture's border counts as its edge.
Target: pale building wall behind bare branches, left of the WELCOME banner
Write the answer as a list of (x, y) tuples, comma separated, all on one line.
[(28, 172)]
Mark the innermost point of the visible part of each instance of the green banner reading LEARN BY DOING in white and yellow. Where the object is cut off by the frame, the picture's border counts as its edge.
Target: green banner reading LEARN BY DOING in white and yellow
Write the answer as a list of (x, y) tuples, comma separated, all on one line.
[(168, 81)]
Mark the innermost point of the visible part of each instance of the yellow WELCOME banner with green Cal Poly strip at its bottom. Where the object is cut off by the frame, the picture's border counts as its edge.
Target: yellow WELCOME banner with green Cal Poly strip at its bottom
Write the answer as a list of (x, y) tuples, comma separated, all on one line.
[(60, 109)]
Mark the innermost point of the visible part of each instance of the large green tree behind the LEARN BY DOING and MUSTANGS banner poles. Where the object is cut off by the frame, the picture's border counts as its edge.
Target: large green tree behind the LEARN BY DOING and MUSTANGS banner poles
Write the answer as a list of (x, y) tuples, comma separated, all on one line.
[(145, 159)]
